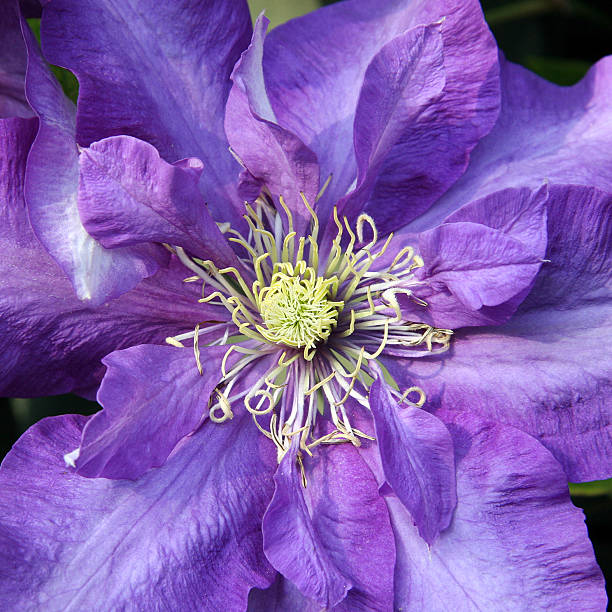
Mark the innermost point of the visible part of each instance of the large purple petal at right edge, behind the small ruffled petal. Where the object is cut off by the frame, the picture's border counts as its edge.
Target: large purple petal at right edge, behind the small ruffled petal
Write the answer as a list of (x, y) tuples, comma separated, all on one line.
[(548, 370)]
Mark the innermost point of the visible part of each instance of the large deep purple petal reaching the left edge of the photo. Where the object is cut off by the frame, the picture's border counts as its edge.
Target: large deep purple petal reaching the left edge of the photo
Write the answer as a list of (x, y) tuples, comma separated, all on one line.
[(50, 341)]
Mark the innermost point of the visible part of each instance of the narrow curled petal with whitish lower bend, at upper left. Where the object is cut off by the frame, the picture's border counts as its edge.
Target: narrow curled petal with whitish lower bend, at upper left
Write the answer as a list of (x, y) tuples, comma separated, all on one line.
[(51, 194)]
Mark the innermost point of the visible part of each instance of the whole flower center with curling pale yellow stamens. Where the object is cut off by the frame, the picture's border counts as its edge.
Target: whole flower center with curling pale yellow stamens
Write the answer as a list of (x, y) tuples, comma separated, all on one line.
[(308, 328)]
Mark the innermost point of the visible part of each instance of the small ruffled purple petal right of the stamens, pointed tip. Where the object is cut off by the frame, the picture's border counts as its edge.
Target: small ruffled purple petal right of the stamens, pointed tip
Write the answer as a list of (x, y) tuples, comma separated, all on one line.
[(480, 264)]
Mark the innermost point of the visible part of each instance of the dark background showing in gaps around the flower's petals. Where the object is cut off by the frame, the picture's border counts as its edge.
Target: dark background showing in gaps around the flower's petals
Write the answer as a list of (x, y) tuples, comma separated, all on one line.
[(558, 39)]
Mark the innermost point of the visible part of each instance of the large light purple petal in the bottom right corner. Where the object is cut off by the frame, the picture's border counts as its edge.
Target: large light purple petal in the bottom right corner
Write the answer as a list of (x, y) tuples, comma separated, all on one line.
[(516, 542)]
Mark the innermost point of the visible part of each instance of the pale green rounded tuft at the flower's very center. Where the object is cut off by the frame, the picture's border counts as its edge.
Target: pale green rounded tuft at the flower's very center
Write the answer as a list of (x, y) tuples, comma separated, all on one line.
[(297, 307)]
